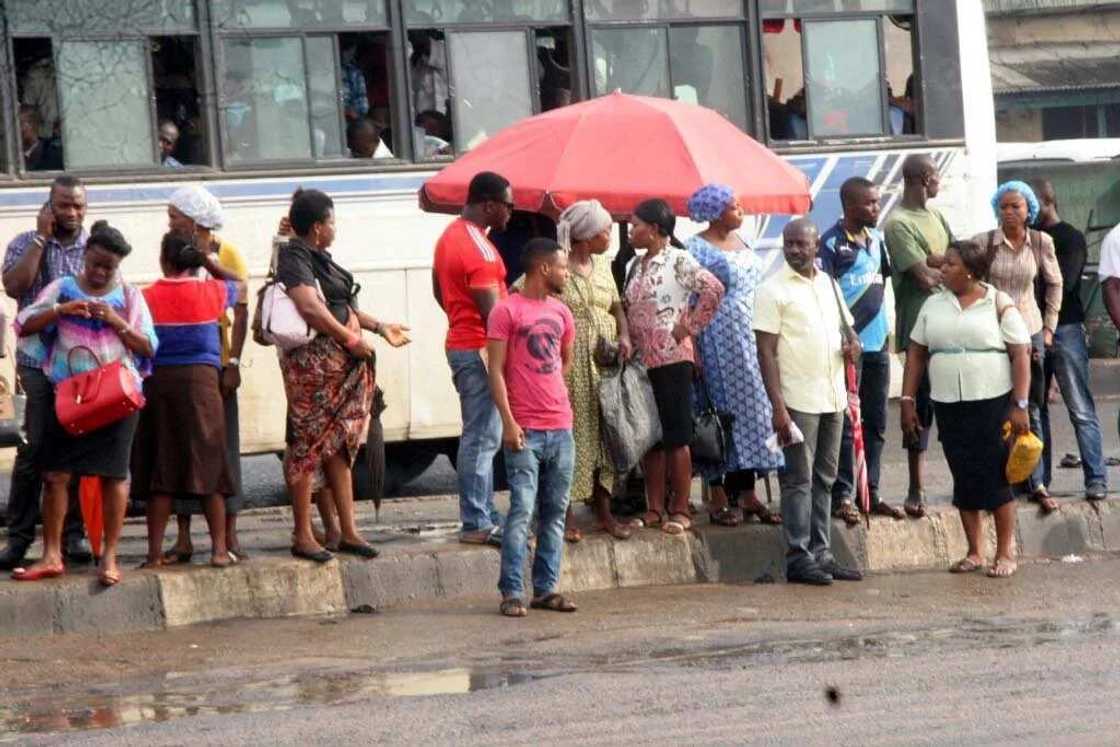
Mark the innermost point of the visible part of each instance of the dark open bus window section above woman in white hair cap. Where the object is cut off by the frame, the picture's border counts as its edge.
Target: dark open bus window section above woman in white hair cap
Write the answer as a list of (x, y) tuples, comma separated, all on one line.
[(183, 125)]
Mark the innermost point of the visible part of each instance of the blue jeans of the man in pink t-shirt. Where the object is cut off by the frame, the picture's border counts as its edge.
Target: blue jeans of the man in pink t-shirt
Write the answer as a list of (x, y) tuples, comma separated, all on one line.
[(540, 480)]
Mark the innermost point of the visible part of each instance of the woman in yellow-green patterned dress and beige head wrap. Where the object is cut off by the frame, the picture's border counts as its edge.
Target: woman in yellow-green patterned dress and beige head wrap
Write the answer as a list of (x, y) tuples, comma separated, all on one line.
[(584, 231)]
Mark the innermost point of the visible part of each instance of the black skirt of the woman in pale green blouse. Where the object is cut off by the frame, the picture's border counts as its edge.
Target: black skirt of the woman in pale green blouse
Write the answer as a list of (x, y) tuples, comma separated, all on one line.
[(972, 437)]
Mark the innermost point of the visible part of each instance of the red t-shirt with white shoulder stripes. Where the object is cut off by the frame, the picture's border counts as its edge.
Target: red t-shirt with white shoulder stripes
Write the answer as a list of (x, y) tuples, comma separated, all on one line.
[(466, 262)]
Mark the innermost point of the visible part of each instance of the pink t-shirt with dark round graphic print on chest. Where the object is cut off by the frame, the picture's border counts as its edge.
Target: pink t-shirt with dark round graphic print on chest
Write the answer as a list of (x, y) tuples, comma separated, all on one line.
[(535, 333)]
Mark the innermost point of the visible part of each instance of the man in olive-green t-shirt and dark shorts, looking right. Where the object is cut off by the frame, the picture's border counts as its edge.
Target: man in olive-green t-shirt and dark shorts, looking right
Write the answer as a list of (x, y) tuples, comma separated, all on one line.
[(918, 237)]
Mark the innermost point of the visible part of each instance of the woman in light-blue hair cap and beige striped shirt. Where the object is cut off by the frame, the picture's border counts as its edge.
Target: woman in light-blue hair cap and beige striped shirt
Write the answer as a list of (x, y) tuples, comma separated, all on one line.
[(1025, 267)]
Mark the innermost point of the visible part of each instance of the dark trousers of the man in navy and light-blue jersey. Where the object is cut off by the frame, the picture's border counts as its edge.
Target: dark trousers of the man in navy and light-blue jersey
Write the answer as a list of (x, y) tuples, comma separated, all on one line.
[(874, 375)]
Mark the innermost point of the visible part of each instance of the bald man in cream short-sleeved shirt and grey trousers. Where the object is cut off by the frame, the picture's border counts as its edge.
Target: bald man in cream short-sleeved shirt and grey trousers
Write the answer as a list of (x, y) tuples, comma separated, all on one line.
[(800, 324)]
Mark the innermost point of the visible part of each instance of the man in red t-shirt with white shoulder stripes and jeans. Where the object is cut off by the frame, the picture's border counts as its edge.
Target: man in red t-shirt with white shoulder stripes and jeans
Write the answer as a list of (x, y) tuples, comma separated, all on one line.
[(468, 281)]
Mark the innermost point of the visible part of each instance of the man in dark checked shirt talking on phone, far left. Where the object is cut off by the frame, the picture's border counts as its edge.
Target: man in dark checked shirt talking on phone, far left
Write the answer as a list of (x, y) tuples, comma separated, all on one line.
[(35, 259)]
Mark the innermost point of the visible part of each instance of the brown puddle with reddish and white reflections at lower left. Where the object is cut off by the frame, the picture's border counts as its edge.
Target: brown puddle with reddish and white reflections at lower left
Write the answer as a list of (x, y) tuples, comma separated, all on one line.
[(182, 697)]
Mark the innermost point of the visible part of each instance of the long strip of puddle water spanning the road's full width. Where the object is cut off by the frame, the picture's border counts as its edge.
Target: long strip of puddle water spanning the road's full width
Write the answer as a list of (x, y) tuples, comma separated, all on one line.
[(218, 693)]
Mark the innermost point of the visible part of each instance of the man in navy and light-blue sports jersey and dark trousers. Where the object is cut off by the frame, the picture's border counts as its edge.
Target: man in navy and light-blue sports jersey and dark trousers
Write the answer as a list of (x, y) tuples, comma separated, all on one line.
[(853, 251)]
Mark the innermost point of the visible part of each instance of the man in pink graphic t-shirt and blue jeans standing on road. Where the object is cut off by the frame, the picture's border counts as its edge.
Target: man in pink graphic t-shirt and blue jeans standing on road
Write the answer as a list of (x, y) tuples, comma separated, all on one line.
[(529, 342)]
